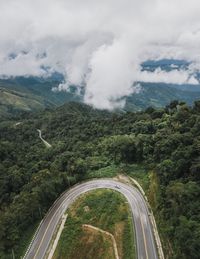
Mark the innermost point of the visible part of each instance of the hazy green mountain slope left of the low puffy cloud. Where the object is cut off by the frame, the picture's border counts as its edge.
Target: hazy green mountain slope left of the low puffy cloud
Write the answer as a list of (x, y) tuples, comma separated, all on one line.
[(23, 94)]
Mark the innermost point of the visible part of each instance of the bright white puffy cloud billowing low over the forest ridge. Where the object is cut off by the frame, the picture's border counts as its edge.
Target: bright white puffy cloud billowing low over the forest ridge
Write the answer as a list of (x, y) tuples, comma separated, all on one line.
[(105, 85)]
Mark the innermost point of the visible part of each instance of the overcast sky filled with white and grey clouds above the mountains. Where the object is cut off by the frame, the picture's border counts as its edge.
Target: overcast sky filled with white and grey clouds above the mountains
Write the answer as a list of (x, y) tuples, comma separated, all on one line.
[(99, 44)]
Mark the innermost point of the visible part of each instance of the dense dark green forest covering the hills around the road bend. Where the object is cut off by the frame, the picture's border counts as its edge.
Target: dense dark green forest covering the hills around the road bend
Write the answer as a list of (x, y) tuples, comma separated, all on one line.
[(166, 141)]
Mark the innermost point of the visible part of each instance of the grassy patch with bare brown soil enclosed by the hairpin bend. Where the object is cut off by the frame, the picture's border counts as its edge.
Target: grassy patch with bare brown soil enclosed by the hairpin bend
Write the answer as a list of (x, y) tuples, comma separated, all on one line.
[(105, 209)]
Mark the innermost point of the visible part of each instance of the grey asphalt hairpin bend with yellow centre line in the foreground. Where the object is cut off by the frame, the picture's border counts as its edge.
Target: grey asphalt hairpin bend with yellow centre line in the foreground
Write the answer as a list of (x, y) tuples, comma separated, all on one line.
[(145, 243)]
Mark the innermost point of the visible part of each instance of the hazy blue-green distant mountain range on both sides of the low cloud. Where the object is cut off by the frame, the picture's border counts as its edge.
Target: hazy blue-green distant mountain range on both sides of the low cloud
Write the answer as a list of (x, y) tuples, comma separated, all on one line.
[(23, 94)]
